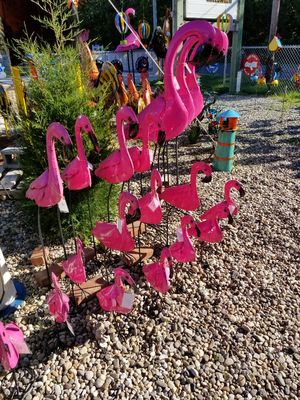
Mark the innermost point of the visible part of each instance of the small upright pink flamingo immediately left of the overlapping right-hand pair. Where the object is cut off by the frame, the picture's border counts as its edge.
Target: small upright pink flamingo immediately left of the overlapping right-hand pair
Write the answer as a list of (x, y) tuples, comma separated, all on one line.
[(183, 250)]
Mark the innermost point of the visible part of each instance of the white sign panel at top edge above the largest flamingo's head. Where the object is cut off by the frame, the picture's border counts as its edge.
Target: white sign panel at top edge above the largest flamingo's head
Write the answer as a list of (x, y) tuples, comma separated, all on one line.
[(209, 9)]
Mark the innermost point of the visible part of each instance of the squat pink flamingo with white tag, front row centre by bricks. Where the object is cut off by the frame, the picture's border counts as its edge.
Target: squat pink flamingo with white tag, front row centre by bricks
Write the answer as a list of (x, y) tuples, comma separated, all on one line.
[(114, 297)]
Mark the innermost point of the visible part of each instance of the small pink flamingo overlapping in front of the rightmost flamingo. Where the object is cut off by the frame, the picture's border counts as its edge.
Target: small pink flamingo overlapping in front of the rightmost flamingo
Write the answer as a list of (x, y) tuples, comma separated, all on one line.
[(208, 228)]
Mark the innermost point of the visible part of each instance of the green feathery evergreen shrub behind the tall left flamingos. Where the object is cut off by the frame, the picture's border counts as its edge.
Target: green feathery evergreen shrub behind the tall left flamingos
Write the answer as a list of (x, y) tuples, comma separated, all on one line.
[(61, 93)]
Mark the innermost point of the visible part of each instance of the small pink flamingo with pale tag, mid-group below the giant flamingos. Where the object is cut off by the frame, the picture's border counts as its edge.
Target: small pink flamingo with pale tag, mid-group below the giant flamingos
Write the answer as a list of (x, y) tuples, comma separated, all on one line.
[(150, 204)]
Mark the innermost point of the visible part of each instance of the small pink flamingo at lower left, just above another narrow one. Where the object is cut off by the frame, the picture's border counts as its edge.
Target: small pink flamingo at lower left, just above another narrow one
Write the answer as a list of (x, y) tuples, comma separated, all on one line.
[(74, 265)]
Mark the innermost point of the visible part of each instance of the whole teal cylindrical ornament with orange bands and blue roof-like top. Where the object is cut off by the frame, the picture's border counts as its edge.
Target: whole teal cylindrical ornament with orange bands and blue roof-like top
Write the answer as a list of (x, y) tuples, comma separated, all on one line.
[(224, 153)]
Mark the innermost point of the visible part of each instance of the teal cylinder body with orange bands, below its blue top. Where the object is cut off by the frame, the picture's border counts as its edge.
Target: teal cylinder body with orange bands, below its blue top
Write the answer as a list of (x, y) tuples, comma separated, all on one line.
[(224, 153)]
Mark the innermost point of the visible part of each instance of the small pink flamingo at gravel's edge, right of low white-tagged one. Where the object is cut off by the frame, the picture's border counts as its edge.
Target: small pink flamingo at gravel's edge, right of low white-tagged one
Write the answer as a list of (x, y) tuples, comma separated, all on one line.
[(158, 273)]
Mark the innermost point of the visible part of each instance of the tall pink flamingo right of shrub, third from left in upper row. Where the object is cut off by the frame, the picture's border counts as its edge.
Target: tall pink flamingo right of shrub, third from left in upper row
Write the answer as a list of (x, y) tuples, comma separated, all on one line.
[(118, 166)]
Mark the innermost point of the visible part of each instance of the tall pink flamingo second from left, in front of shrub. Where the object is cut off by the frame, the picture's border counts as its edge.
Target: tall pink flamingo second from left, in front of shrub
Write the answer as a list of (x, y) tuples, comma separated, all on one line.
[(77, 174)]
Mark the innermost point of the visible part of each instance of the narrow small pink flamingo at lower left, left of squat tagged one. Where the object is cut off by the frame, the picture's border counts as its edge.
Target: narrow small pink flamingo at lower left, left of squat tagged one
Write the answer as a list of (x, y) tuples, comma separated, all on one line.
[(58, 302)]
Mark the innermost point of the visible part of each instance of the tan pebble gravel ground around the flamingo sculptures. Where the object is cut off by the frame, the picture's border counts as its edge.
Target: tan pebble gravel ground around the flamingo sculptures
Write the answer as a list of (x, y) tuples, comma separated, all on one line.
[(228, 329)]
